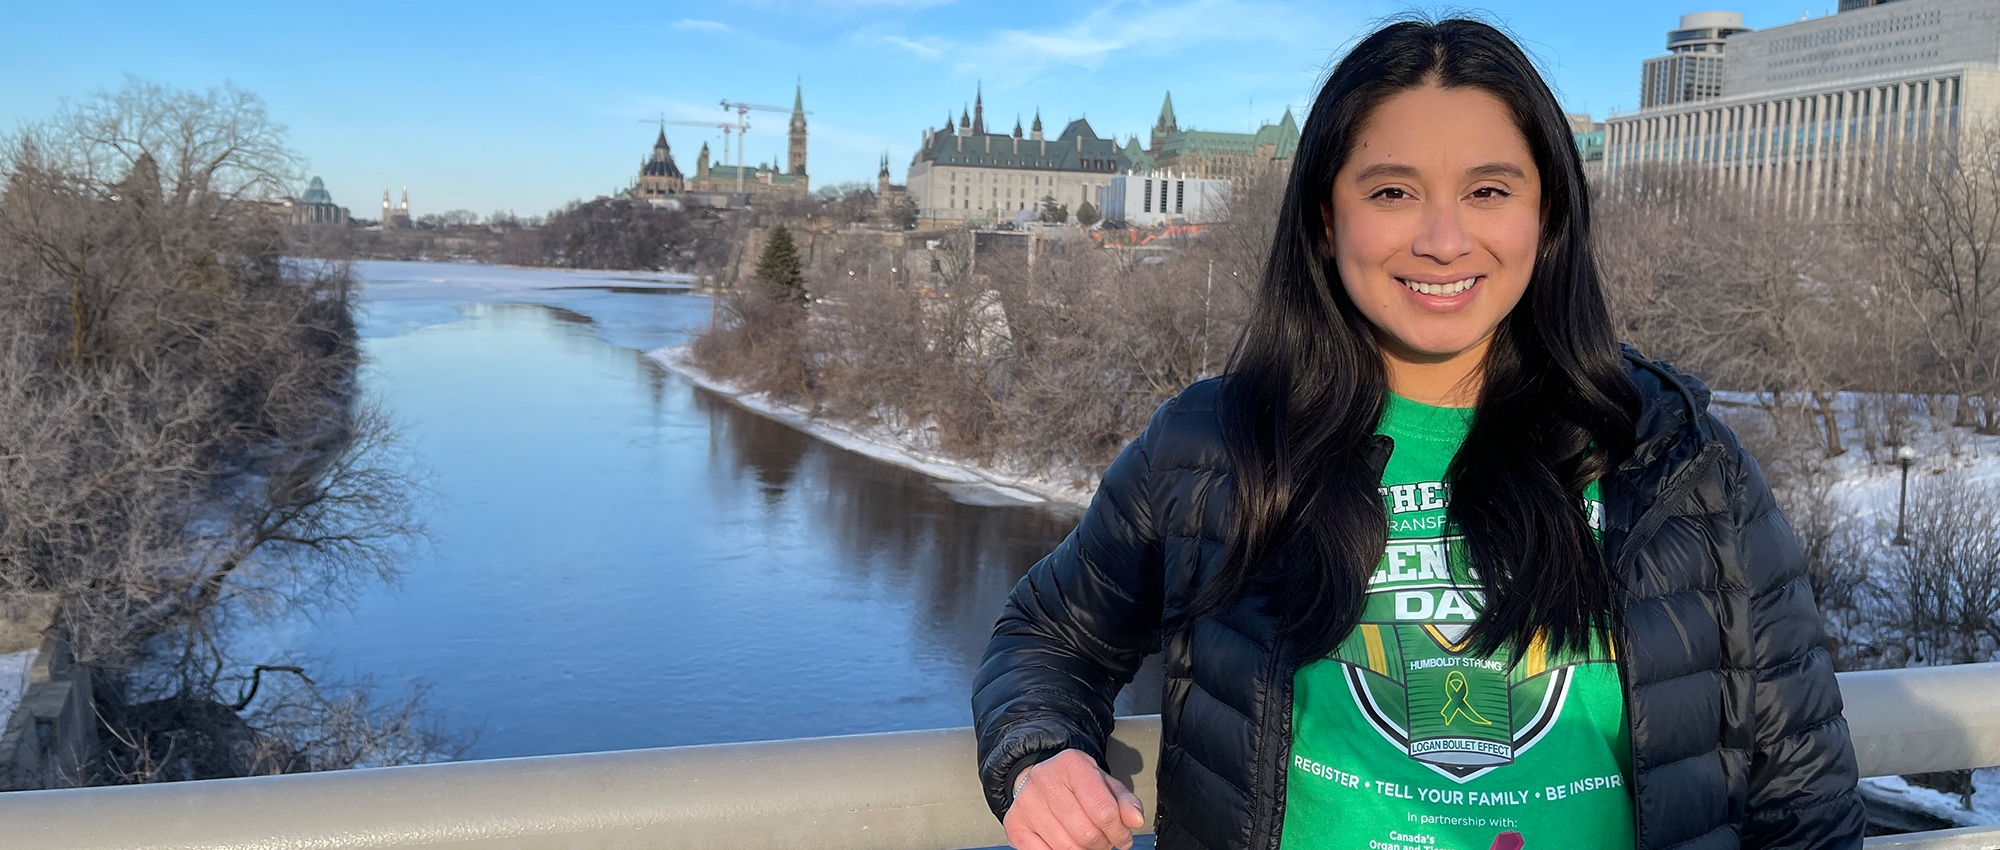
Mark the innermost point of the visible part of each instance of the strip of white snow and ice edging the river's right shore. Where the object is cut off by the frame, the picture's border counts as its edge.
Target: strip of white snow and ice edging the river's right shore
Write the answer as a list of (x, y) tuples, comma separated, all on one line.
[(961, 479)]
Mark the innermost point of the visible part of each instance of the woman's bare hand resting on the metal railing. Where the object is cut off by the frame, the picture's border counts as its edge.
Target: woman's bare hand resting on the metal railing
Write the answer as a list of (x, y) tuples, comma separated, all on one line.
[(1067, 803)]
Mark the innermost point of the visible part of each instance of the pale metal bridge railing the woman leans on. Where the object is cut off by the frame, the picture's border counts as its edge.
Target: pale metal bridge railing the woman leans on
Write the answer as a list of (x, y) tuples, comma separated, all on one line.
[(899, 791)]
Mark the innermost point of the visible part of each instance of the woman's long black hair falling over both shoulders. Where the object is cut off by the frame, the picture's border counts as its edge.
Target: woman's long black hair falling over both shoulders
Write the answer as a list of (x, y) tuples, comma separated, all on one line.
[(1307, 387)]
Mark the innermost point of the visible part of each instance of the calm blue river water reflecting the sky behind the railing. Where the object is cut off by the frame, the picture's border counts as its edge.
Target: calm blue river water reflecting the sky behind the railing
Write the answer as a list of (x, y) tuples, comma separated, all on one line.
[(621, 559)]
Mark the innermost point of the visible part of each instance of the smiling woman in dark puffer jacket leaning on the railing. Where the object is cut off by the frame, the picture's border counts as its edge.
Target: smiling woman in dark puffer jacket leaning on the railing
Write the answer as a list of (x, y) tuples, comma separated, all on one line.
[(1435, 565)]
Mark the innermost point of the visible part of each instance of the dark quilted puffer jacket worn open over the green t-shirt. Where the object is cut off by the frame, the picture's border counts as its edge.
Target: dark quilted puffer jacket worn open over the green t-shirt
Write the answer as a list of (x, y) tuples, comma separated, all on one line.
[(1737, 731)]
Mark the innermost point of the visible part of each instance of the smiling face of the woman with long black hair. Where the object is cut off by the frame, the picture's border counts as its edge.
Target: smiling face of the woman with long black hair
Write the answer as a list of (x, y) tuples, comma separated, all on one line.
[(1435, 223)]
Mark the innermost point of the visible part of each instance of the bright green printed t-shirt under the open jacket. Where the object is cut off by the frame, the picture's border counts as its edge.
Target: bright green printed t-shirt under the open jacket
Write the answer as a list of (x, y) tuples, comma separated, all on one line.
[(1405, 741)]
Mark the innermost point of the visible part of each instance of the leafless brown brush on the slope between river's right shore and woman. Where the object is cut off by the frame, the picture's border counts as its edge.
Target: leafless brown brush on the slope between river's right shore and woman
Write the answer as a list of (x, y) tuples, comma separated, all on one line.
[(1041, 353)]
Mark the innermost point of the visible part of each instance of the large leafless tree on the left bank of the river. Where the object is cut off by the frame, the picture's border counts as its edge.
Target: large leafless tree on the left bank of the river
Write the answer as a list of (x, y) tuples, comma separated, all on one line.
[(181, 433)]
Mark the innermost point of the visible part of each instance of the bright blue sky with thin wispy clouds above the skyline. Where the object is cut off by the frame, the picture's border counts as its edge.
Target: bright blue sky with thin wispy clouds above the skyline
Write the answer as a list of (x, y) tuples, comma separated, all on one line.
[(523, 107)]
